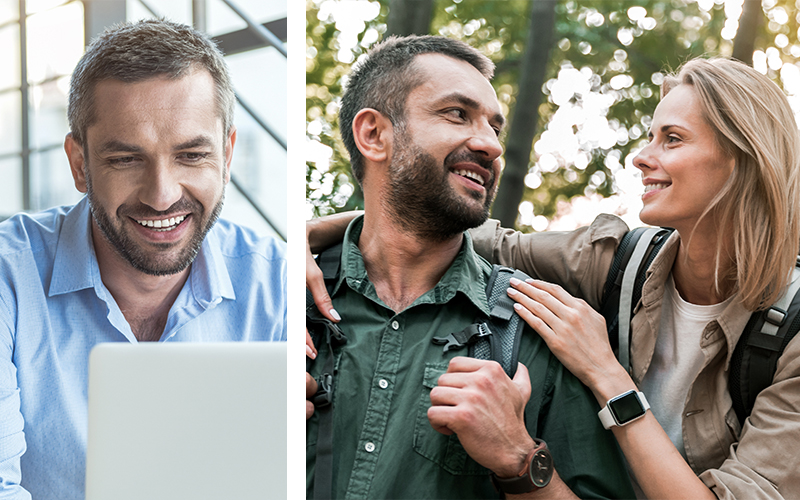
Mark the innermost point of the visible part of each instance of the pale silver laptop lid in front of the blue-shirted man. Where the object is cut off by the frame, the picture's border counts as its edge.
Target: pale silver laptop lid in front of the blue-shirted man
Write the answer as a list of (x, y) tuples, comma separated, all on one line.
[(187, 421)]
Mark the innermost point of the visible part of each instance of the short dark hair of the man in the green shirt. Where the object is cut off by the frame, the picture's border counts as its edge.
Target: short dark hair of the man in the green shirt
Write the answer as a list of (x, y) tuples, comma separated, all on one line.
[(383, 80)]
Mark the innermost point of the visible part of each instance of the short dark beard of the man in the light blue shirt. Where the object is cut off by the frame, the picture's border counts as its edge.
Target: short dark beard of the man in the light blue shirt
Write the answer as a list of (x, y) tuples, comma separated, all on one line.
[(142, 260)]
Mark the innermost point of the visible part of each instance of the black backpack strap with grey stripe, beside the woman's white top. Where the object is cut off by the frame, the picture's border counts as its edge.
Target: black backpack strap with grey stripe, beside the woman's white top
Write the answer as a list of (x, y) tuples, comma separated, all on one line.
[(624, 283)]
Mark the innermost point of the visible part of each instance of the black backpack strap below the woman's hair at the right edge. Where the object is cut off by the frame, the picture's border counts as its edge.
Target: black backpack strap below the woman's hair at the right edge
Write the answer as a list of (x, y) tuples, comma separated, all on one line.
[(755, 358)]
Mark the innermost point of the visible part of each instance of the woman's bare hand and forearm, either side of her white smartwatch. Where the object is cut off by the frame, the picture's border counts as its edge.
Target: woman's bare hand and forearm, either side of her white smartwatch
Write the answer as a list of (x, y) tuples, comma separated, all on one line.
[(577, 336)]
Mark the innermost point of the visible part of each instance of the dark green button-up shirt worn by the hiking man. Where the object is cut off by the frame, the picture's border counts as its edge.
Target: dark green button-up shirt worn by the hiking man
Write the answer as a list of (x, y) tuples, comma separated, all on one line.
[(410, 459)]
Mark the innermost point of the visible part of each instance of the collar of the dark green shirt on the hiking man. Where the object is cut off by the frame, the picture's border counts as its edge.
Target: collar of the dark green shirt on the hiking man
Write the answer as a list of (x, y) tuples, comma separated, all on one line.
[(467, 274)]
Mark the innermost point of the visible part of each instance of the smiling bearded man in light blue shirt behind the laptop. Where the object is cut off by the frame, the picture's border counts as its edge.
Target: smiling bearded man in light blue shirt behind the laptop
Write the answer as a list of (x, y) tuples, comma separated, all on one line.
[(140, 258)]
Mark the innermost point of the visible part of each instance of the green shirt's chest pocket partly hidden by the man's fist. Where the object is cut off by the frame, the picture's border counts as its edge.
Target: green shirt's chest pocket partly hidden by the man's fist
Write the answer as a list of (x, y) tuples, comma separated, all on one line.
[(445, 451)]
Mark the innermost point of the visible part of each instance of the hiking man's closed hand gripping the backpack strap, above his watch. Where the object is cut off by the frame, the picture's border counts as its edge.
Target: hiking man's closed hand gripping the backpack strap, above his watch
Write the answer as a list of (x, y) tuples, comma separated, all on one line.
[(477, 401)]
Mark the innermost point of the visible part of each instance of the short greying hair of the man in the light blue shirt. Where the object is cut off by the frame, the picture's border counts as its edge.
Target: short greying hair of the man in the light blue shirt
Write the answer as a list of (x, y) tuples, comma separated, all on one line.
[(133, 52)]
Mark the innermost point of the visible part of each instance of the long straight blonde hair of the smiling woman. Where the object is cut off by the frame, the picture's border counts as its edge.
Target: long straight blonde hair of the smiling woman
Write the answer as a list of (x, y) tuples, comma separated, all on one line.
[(758, 206)]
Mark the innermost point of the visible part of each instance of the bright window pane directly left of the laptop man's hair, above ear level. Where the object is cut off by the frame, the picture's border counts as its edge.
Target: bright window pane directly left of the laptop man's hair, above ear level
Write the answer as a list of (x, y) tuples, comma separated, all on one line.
[(48, 113)]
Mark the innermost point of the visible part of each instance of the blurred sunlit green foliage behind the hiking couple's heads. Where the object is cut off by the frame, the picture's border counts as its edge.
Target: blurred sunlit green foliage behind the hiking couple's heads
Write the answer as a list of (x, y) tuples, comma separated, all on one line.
[(595, 100)]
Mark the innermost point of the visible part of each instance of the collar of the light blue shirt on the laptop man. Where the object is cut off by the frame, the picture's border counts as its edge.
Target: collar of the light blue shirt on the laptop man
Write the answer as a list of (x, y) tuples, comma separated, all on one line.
[(75, 265)]
